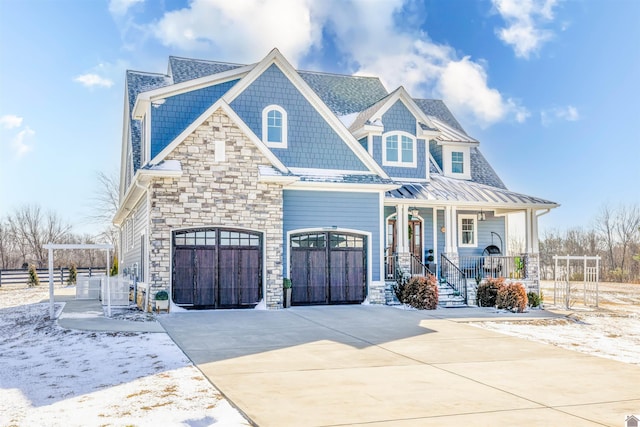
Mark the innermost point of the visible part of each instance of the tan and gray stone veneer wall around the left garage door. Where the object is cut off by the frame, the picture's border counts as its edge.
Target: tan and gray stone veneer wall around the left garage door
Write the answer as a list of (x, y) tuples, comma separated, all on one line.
[(216, 194)]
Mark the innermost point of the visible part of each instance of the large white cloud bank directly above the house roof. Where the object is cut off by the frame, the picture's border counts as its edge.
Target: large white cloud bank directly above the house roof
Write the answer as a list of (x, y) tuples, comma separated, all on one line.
[(369, 39)]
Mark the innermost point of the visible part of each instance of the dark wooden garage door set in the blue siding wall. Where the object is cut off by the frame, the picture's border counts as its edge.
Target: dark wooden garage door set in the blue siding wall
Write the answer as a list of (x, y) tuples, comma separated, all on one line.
[(328, 268)]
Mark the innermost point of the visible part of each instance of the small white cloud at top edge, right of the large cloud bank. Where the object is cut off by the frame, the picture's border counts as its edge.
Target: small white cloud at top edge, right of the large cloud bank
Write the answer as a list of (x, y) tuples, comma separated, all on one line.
[(525, 19)]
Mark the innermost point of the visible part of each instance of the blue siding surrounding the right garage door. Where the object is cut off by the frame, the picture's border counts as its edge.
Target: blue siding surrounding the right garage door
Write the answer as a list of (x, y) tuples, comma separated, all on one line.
[(318, 209)]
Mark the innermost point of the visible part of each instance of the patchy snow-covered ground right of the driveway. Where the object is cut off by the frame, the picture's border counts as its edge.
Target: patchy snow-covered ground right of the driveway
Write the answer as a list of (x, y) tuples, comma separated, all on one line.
[(611, 331)]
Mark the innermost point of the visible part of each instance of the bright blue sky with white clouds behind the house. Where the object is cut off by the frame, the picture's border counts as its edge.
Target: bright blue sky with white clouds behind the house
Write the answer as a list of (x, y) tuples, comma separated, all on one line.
[(550, 88)]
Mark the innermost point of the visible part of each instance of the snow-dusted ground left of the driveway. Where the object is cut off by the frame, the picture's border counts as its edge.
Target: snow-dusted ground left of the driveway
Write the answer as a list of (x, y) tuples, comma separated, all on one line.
[(52, 376)]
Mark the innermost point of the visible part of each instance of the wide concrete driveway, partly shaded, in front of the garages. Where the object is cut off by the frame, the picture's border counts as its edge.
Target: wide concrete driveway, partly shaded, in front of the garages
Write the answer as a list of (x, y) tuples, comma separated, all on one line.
[(377, 365)]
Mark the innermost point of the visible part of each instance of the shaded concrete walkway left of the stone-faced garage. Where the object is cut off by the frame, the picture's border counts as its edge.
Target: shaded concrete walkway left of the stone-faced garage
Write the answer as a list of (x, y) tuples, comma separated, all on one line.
[(88, 315)]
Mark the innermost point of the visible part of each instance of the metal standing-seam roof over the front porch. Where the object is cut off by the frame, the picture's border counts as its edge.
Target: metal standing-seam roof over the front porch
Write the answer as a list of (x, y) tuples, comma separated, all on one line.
[(449, 190)]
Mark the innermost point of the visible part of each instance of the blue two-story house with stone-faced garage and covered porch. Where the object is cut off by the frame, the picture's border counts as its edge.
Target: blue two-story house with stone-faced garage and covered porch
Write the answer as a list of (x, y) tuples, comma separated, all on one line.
[(234, 177)]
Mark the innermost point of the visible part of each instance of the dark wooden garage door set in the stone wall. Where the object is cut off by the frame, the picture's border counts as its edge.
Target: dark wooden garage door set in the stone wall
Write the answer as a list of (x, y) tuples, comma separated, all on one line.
[(217, 268)]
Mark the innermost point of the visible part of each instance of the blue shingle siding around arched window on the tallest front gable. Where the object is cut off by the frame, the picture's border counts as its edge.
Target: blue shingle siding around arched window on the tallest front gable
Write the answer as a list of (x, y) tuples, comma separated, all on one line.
[(311, 142)]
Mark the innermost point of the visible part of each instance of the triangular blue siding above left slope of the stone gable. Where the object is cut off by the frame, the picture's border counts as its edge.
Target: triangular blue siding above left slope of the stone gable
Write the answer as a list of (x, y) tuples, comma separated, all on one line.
[(178, 112)]
